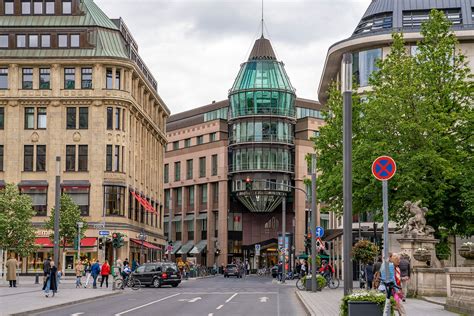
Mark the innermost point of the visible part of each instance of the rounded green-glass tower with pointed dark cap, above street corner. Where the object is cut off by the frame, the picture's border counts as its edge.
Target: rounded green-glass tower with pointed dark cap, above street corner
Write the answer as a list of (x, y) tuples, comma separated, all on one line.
[(261, 126)]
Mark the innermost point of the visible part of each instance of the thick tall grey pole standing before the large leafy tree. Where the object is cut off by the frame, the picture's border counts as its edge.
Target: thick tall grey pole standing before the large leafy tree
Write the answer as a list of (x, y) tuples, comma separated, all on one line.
[(347, 165)]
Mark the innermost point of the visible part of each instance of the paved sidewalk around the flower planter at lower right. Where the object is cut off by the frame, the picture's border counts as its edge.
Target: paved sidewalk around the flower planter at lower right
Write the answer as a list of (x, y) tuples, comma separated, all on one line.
[(326, 303)]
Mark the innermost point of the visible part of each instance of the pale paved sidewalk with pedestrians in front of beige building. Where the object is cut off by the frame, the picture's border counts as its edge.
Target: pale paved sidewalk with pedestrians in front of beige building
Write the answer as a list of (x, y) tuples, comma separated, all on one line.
[(27, 296)]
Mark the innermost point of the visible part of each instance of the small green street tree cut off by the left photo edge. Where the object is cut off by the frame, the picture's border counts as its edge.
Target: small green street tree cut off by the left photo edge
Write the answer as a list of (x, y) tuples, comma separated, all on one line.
[(16, 232)]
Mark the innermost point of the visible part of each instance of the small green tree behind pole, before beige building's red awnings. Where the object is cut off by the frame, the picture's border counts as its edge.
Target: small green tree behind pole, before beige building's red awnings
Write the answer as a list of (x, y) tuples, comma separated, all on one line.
[(70, 215)]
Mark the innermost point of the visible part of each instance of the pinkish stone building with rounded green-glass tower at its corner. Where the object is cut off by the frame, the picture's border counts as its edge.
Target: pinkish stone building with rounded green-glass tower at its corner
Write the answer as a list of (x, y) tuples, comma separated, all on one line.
[(230, 165)]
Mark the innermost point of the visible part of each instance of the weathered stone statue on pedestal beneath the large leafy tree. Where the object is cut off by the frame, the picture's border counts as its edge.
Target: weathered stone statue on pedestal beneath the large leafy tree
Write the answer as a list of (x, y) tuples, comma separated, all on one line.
[(416, 225)]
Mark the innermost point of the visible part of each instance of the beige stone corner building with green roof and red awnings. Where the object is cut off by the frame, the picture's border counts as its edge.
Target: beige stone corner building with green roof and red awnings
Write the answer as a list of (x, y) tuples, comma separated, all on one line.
[(73, 85)]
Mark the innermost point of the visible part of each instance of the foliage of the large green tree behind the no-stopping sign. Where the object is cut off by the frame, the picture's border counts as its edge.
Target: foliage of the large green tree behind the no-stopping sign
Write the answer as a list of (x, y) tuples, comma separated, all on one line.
[(419, 110)]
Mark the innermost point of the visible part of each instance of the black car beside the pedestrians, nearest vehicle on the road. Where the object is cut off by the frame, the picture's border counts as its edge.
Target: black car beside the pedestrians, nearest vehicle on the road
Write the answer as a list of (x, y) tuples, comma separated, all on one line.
[(158, 274)]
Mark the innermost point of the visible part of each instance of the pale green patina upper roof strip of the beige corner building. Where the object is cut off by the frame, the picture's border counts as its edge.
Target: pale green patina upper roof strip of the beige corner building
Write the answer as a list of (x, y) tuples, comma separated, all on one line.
[(93, 16)]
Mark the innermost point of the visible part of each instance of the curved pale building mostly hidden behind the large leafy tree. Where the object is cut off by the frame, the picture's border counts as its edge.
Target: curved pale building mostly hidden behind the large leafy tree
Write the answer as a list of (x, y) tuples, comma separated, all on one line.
[(371, 41)]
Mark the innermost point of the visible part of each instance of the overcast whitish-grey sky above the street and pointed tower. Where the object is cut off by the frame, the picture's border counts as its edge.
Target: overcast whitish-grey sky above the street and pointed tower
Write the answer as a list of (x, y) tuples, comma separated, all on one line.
[(194, 48)]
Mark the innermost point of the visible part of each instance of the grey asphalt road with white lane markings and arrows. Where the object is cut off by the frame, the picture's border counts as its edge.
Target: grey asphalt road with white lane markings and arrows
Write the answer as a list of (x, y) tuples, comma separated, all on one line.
[(252, 295)]
